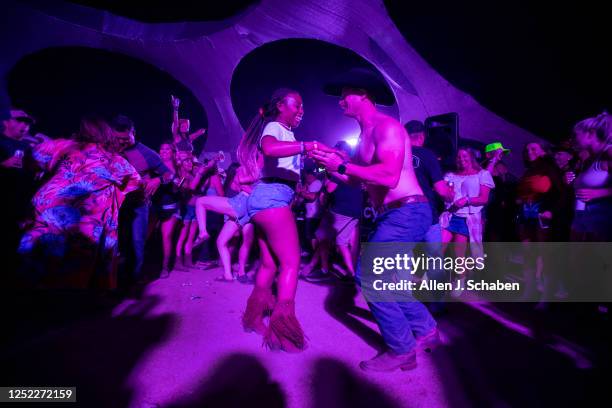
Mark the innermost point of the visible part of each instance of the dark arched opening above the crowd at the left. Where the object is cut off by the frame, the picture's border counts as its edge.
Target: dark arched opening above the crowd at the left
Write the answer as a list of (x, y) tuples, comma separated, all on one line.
[(60, 85)]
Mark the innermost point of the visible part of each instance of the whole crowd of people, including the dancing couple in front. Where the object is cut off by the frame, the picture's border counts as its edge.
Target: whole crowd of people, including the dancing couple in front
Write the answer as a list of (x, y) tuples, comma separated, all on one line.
[(84, 207)]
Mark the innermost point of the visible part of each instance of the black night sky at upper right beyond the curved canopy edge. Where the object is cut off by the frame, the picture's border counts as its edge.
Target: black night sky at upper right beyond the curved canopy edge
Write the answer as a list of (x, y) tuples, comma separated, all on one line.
[(541, 67)]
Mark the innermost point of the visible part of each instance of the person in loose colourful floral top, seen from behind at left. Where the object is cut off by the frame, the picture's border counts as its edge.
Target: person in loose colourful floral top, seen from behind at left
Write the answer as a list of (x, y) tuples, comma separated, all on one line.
[(73, 238)]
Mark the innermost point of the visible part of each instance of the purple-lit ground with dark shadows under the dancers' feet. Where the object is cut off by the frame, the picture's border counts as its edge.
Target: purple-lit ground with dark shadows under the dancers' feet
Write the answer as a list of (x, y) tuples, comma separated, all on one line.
[(181, 344)]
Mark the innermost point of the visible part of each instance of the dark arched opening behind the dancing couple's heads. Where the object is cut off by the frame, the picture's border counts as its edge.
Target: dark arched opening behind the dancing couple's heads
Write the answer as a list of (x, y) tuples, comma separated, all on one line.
[(304, 65)]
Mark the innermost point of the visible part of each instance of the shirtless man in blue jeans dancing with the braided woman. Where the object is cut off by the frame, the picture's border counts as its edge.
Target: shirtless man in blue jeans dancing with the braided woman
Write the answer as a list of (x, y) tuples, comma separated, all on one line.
[(383, 164)]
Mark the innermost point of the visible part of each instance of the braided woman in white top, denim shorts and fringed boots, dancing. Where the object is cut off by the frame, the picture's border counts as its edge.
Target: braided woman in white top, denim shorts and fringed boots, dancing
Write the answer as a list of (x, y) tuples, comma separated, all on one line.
[(269, 207)]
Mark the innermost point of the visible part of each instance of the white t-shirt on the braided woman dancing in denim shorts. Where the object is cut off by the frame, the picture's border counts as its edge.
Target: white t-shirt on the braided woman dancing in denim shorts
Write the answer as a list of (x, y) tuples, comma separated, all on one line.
[(287, 168)]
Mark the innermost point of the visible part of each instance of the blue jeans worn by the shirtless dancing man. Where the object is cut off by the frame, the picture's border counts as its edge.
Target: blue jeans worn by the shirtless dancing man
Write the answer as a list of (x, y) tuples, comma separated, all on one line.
[(401, 322)]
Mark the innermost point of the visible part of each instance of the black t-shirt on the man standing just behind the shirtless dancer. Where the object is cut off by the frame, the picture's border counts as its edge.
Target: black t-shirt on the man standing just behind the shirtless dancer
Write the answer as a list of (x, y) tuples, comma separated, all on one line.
[(428, 172)]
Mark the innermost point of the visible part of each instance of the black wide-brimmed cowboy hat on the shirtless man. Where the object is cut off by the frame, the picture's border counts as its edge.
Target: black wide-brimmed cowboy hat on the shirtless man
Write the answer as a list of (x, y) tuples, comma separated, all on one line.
[(362, 78)]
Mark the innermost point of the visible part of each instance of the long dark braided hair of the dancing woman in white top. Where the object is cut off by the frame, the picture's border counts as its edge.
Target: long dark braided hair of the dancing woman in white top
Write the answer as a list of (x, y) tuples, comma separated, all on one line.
[(248, 149)]
